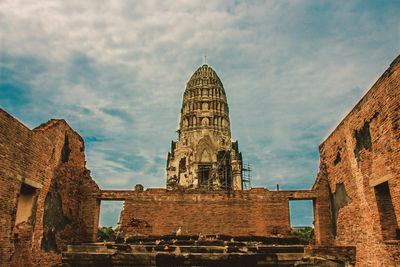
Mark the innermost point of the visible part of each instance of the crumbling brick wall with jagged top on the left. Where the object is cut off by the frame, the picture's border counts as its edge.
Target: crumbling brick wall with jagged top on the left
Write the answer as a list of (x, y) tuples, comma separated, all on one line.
[(43, 192)]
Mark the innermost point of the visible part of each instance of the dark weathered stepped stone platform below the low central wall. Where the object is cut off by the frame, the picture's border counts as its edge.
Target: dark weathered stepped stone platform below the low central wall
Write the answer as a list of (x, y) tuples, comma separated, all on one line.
[(187, 251)]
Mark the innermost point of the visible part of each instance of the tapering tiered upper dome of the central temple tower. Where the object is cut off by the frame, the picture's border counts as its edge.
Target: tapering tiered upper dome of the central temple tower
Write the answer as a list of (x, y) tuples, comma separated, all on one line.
[(204, 104)]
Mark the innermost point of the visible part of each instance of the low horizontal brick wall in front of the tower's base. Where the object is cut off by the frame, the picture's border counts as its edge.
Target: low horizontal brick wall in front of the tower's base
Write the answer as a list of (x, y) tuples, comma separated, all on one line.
[(257, 212)]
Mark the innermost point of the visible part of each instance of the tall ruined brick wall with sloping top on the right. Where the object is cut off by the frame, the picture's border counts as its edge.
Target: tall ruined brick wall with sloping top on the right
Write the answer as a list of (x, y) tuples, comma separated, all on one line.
[(358, 184)]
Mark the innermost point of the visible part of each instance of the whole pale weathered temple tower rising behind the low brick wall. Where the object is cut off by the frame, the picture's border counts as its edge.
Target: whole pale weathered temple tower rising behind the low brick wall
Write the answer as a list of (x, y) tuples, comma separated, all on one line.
[(204, 157)]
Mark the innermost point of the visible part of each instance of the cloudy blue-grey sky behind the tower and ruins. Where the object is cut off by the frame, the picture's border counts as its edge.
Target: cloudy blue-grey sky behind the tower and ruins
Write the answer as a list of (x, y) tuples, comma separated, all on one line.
[(116, 71)]
